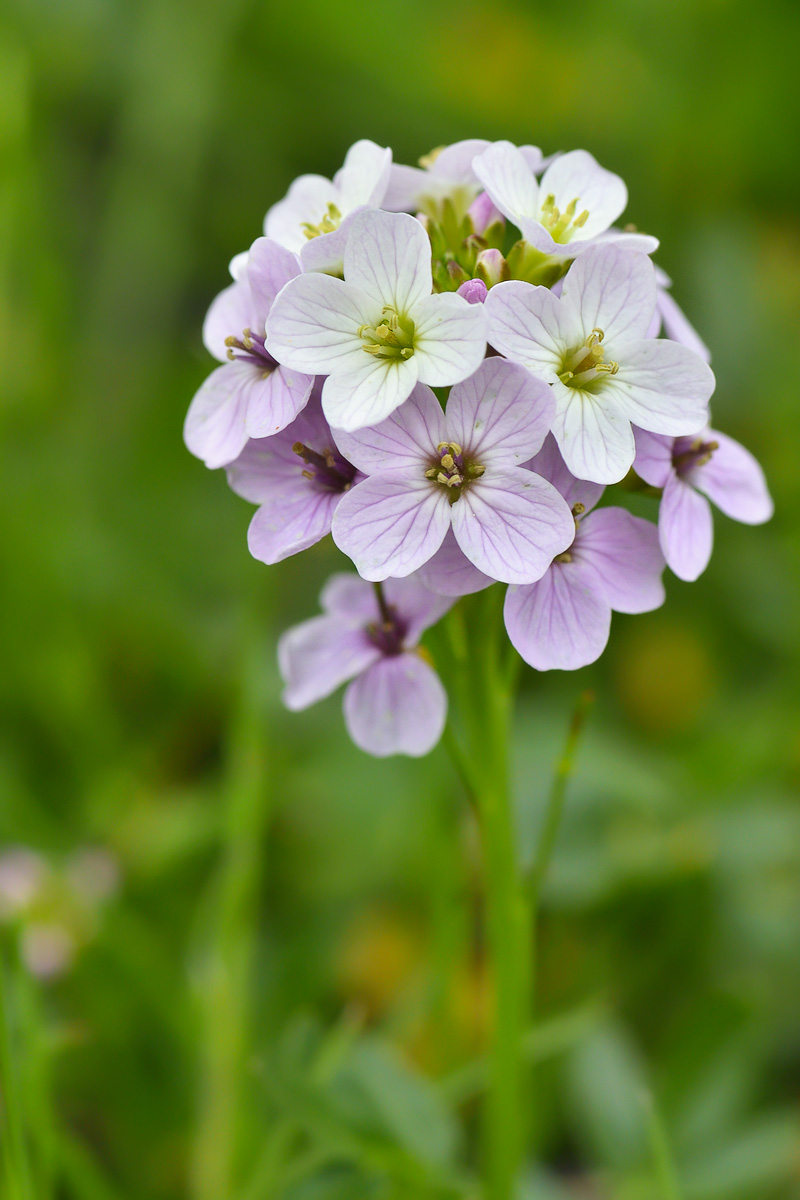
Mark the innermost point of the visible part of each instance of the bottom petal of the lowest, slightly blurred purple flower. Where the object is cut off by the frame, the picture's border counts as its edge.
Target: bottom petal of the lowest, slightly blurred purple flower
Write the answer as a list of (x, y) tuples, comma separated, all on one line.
[(399, 706)]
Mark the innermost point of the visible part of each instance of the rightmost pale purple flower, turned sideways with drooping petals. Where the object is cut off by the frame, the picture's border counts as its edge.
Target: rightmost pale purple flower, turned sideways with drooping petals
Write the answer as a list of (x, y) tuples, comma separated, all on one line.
[(709, 464)]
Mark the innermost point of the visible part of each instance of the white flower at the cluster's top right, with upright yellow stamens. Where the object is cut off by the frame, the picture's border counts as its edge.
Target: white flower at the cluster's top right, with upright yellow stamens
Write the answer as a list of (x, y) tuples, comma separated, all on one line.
[(574, 206)]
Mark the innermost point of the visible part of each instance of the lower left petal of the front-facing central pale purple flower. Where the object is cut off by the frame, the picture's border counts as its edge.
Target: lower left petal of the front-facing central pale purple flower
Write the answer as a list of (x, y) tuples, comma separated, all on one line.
[(392, 524)]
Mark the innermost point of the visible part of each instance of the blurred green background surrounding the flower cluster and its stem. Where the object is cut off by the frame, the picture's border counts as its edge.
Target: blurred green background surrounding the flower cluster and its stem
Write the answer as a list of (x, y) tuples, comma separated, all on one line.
[(282, 993)]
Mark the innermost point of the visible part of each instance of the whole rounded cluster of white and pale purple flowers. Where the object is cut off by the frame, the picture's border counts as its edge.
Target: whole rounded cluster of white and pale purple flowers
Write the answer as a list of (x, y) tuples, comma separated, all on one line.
[(446, 368)]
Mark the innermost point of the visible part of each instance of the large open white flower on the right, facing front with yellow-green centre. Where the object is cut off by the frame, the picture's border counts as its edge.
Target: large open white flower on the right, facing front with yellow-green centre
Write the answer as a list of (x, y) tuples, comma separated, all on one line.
[(591, 345)]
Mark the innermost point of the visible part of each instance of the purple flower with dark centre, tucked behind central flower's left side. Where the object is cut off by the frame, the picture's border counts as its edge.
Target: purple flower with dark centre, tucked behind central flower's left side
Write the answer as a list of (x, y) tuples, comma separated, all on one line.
[(298, 478)]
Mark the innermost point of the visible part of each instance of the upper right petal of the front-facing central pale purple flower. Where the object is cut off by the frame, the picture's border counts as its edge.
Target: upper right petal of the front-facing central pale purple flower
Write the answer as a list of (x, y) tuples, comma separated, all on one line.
[(501, 415)]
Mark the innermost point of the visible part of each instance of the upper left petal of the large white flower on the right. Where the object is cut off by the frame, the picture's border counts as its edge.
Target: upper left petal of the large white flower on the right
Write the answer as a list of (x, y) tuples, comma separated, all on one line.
[(531, 327)]
